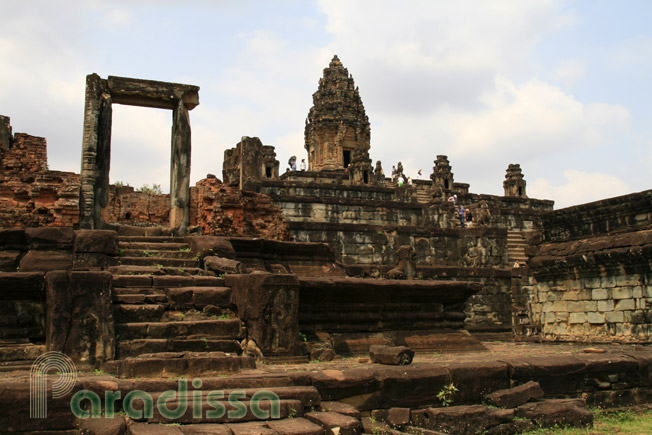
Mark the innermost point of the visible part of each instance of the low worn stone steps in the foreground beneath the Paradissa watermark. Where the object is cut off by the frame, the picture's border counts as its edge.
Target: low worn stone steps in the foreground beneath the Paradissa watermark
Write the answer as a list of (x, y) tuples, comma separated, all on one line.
[(272, 405)]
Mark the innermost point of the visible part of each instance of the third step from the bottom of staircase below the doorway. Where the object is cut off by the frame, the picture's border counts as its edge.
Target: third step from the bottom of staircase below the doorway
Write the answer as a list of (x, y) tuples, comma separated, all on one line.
[(228, 328)]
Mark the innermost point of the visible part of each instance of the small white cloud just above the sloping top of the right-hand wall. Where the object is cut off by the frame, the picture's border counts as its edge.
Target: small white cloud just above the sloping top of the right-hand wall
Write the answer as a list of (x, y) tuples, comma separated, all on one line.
[(579, 187)]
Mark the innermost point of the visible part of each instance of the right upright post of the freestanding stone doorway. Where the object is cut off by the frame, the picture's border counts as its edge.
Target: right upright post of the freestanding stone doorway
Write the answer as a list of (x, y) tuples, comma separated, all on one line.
[(180, 170)]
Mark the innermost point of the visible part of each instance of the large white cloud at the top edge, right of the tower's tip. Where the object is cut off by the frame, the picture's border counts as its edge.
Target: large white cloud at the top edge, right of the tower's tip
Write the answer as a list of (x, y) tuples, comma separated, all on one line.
[(430, 54)]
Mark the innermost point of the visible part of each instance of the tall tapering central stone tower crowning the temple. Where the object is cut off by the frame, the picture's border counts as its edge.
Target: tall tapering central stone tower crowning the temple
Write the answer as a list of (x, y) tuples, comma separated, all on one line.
[(337, 127)]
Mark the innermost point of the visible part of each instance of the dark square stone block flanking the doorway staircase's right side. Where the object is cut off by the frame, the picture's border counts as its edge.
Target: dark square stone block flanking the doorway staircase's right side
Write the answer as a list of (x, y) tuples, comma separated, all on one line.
[(269, 306)]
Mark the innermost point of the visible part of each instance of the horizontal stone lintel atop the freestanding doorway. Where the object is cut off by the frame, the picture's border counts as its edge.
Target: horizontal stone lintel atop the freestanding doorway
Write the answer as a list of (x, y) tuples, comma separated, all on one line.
[(151, 93)]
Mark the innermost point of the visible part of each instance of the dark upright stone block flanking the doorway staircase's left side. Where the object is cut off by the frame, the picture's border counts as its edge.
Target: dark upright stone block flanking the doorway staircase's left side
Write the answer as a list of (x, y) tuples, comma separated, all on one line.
[(80, 316)]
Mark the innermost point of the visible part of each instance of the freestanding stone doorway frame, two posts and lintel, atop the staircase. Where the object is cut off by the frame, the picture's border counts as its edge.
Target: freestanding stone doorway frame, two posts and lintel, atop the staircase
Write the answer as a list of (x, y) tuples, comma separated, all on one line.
[(96, 146)]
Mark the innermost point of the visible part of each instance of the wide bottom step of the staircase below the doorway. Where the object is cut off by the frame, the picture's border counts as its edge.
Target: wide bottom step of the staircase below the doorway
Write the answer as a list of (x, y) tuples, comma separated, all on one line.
[(186, 364)]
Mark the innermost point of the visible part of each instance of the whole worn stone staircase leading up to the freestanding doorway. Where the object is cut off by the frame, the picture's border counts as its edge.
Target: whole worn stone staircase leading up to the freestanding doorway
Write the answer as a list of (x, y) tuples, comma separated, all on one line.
[(171, 317)]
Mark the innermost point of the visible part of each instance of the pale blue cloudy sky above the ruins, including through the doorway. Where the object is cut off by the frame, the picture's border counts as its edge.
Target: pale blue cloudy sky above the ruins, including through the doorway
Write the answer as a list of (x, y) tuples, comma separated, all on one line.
[(561, 87)]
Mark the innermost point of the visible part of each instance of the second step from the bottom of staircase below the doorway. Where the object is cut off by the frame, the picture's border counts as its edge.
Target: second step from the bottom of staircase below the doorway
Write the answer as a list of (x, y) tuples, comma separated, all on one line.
[(132, 348)]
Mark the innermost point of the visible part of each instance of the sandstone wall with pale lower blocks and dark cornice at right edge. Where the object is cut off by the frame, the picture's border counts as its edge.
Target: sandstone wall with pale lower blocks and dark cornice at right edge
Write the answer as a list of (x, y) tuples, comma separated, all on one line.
[(591, 277)]
